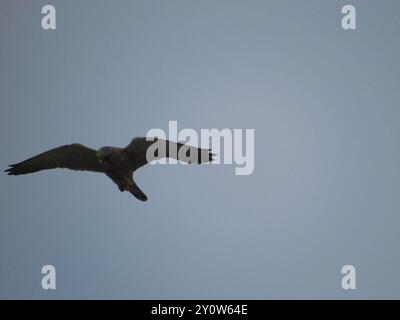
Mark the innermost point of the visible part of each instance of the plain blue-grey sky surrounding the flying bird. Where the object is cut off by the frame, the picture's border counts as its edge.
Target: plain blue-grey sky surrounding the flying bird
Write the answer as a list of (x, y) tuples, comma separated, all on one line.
[(324, 104)]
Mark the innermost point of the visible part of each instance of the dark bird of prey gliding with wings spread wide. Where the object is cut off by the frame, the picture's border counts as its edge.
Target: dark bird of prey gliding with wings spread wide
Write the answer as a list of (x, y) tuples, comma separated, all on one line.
[(118, 164)]
